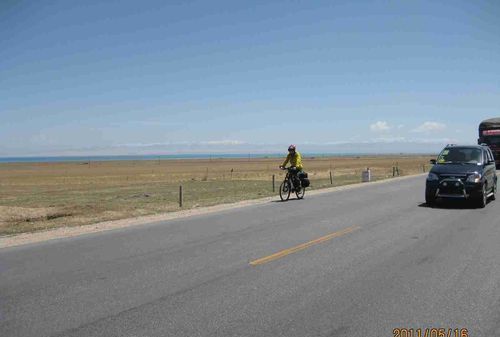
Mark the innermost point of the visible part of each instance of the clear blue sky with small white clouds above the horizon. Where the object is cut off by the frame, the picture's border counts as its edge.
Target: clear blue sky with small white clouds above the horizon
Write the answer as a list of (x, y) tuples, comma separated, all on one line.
[(132, 77)]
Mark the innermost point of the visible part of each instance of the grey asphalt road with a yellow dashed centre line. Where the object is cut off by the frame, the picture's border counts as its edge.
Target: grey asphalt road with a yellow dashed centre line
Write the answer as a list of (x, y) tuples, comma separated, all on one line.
[(359, 262)]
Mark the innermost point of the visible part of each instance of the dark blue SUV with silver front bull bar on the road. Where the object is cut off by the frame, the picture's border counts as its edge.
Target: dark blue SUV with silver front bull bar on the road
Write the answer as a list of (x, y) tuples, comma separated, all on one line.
[(462, 172)]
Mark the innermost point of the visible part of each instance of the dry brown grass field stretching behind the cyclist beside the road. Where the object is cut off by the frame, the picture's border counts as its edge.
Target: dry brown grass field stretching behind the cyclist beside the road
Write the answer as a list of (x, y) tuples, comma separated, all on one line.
[(37, 196)]
